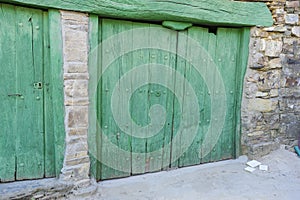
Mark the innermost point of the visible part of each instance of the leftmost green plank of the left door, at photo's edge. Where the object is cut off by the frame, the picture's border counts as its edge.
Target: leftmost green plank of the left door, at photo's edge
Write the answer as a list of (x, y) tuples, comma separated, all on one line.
[(8, 86)]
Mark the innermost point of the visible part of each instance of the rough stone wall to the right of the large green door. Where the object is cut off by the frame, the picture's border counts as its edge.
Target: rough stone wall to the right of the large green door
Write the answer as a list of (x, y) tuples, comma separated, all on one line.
[(271, 101)]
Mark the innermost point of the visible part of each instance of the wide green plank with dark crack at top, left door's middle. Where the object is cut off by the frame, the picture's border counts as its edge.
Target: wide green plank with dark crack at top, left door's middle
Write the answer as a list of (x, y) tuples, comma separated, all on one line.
[(30, 139)]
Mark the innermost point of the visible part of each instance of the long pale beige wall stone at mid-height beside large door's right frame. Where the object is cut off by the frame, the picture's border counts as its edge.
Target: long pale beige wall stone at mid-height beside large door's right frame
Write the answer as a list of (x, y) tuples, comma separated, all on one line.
[(262, 105)]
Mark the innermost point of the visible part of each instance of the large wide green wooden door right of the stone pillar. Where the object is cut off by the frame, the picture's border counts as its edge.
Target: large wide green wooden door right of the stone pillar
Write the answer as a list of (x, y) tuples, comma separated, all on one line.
[(164, 98)]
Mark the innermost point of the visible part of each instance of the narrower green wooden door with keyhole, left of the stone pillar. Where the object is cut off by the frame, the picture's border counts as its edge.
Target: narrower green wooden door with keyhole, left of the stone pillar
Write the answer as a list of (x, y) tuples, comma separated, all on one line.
[(26, 151)]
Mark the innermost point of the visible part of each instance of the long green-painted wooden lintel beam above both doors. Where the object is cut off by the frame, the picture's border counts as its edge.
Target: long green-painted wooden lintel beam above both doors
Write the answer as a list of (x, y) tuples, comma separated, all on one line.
[(216, 12)]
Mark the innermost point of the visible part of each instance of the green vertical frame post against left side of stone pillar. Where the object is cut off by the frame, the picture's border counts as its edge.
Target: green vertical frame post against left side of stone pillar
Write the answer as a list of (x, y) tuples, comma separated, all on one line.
[(56, 65)]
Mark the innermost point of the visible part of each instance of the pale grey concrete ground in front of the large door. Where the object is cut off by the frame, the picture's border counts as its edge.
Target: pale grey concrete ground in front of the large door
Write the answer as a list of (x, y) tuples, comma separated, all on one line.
[(220, 181)]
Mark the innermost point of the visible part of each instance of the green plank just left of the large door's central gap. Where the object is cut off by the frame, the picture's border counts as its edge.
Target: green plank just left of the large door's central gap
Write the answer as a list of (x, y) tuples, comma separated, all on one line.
[(162, 83)]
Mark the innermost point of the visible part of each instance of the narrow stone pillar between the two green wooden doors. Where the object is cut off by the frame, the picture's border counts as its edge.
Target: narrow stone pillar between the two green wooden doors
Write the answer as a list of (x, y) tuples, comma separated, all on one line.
[(75, 49)]
